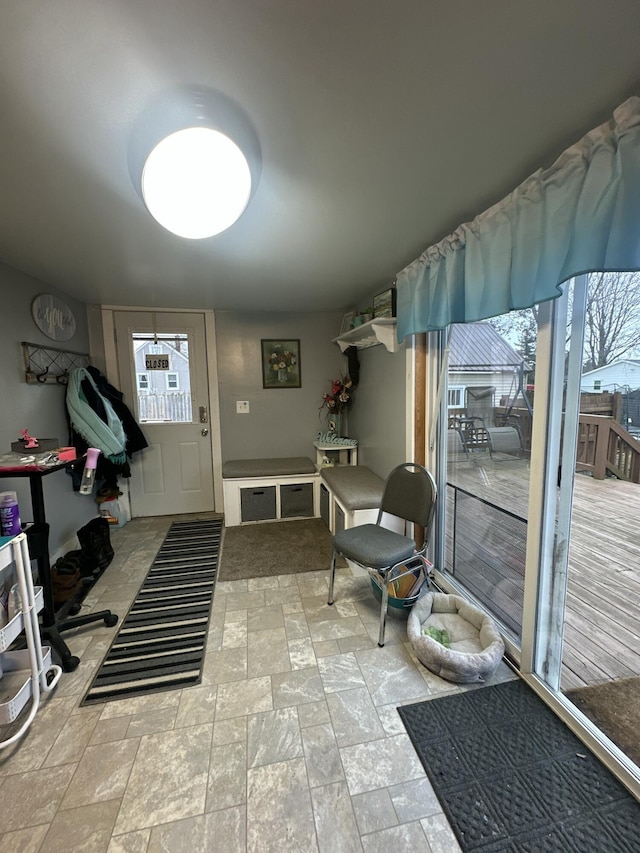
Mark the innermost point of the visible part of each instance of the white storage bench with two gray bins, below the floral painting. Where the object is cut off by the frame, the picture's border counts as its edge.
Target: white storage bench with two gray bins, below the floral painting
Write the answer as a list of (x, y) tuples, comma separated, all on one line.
[(269, 489)]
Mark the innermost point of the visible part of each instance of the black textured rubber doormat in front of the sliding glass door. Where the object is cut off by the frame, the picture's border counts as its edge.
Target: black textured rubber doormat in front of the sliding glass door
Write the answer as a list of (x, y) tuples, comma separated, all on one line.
[(511, 776)]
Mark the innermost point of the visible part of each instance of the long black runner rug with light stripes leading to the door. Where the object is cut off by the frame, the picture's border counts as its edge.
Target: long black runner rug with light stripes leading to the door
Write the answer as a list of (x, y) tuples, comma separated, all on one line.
[(161, 642)]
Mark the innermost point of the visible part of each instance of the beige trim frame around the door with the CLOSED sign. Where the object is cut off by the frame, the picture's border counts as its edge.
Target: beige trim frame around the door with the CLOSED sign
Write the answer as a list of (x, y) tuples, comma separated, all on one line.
[(102, 339)]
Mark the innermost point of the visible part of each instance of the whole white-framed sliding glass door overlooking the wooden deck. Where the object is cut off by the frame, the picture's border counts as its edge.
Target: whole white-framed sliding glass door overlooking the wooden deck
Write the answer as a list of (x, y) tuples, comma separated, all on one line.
[(539, 519)]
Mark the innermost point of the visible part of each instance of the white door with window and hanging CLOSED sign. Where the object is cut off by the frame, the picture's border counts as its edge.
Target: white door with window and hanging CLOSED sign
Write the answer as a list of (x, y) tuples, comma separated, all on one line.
[(162, 361)]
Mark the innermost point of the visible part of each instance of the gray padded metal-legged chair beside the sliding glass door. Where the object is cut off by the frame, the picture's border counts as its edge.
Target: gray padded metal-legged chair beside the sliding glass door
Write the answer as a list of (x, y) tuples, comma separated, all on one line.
[(410, 495)]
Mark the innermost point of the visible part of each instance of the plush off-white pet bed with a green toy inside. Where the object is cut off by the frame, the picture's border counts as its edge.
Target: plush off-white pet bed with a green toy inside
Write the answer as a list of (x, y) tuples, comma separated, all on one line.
[(476, 647)]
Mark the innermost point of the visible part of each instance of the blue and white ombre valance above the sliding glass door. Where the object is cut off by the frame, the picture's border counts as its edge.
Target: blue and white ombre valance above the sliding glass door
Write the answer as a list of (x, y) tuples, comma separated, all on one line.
[(581, 215)]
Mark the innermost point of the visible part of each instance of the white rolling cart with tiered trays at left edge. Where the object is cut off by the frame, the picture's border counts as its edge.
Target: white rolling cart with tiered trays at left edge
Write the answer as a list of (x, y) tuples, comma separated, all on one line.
[(24, 673)]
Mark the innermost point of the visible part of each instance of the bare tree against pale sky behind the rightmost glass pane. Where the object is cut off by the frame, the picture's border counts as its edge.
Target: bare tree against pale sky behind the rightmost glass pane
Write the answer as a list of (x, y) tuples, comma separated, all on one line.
[(613, 317)]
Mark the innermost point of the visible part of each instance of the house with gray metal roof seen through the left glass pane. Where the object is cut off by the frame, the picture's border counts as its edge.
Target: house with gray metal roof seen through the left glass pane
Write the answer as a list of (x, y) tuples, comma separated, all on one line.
[(484, 369)]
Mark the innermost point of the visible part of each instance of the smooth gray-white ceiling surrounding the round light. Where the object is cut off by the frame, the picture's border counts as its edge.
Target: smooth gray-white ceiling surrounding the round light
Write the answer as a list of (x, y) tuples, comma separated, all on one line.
[(383, 125)]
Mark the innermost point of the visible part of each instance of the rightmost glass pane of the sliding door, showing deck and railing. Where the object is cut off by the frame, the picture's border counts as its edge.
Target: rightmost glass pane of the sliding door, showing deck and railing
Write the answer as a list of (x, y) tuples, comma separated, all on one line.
[(599, 666)]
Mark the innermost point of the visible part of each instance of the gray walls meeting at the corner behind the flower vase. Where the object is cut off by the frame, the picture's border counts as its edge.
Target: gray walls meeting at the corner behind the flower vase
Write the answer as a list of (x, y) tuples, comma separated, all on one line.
[(285, 422)]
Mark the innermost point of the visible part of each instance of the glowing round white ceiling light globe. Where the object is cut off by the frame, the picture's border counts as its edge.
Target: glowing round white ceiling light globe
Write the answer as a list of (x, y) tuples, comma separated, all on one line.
[(196, 182)]
